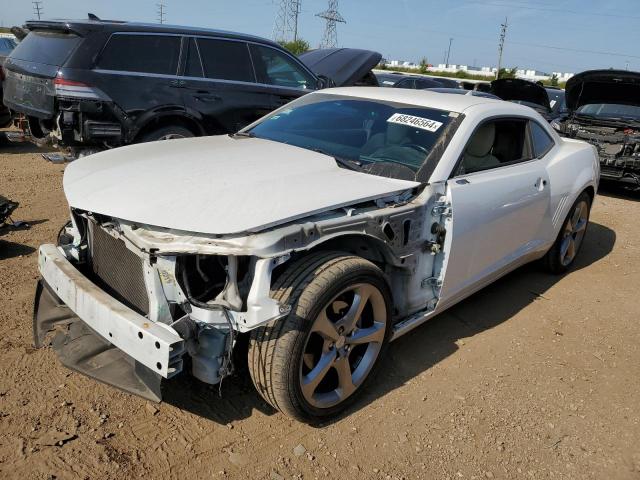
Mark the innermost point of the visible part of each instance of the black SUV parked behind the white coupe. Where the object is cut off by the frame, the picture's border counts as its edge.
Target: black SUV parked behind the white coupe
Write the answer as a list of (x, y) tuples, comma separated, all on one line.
[(94, 83)]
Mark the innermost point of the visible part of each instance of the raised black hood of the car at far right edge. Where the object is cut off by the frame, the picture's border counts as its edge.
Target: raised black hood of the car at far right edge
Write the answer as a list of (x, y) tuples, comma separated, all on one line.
[(603, 86)]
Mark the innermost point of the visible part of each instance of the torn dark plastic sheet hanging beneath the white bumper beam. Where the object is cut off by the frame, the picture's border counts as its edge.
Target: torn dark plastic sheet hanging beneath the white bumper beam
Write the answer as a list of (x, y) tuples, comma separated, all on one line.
[(80, 349)]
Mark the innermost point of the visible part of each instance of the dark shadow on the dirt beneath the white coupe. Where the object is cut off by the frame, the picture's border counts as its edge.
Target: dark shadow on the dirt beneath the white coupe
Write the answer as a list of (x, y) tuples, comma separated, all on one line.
[(413, 353)]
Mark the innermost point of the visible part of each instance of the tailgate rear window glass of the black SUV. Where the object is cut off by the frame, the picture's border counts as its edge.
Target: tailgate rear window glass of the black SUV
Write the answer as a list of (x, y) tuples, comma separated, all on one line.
[(49, 48)]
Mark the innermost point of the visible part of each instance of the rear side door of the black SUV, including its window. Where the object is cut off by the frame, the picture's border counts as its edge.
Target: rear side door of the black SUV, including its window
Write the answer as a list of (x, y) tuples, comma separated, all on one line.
[(219, 85)]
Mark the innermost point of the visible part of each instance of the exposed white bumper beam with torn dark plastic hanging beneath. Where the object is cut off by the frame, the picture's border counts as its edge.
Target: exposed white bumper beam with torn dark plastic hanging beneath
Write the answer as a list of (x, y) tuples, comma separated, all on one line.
[(97, 335)]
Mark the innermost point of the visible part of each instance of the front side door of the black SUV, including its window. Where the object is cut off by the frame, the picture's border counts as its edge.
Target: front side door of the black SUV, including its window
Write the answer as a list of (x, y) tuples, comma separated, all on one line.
[(285, 77)]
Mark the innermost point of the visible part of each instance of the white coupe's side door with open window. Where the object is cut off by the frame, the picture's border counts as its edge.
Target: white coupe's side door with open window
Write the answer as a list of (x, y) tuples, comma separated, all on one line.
[(500, 207)]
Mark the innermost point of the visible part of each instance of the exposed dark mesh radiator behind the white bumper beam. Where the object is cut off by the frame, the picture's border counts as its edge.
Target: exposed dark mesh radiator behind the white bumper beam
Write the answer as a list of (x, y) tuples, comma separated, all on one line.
[(119, 271)]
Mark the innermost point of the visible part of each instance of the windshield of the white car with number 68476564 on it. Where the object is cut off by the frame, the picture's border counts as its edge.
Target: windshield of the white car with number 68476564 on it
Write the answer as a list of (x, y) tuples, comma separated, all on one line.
[(375, 136)]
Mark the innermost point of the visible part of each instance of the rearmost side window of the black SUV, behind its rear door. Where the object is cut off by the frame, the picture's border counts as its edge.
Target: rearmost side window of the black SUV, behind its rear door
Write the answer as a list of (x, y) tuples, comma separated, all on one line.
[(141, 53)]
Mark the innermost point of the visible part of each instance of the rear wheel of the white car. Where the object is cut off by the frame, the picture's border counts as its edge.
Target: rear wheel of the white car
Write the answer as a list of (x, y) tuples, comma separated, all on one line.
[(565, 249)]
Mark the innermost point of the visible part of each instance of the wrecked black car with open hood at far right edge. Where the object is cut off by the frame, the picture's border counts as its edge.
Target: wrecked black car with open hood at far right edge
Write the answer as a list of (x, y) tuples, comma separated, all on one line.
[(604, 110)]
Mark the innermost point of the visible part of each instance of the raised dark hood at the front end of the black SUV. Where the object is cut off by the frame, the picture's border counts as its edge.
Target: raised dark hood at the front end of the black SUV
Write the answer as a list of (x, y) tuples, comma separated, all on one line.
[(345, 66)]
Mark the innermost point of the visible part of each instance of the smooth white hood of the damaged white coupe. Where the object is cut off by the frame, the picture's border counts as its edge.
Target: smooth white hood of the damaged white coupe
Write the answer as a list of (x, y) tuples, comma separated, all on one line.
[(217, 185)]
